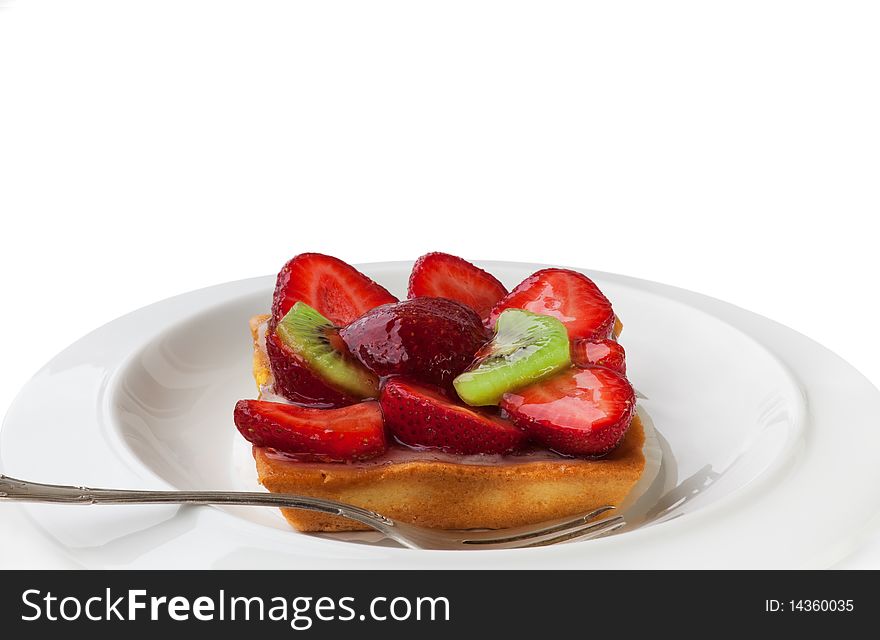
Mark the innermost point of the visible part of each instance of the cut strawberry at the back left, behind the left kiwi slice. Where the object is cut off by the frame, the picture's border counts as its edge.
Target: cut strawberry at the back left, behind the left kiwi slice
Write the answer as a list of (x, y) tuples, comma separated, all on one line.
[(335, 289)]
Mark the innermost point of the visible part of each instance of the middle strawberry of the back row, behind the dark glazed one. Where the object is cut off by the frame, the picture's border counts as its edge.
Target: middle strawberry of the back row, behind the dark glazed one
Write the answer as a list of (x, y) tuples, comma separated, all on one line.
[(441, 275)]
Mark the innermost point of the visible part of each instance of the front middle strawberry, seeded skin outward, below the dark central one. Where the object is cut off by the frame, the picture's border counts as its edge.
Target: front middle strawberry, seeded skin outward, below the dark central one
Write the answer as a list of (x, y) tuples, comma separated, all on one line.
[(420, 416)]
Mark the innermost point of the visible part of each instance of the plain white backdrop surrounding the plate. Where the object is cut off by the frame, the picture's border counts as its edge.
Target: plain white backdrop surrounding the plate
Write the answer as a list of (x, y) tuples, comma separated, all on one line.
[(151, 148)]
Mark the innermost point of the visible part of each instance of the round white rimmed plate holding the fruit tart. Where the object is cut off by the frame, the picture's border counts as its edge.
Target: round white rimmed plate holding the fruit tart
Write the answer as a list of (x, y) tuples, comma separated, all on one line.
[(769, 460)]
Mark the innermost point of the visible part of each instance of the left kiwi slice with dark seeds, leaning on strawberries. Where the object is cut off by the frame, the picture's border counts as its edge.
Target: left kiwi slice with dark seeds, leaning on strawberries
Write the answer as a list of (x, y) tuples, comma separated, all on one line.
[(314, 339)]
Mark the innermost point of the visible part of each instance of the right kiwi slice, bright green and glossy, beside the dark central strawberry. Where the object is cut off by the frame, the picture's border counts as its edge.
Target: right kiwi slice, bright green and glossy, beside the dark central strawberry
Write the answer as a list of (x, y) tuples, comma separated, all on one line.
[(527, 347)]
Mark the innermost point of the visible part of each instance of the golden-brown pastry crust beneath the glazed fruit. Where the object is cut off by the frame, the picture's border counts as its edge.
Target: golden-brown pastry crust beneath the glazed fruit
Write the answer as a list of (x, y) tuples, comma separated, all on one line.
[(451, 495)]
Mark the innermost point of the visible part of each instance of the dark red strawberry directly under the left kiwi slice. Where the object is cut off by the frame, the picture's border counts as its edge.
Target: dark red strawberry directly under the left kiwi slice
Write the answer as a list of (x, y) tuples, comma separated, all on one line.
[(297, 382)]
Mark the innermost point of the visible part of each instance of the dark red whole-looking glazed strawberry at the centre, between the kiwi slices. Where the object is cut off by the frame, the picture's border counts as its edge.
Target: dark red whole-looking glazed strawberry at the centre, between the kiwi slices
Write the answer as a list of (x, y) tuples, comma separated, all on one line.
[(431, 340)]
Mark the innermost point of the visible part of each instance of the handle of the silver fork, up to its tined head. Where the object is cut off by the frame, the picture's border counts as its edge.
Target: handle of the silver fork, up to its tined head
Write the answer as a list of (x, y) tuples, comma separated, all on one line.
[(12, 489)]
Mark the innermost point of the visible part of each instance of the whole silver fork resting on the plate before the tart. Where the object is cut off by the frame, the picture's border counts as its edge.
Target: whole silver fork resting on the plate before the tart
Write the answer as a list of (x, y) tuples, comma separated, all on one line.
[(581, 527)]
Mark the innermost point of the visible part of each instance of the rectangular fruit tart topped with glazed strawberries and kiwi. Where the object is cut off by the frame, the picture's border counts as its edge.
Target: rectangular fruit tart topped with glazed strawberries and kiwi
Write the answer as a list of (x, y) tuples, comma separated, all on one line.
[(463, 406)]
